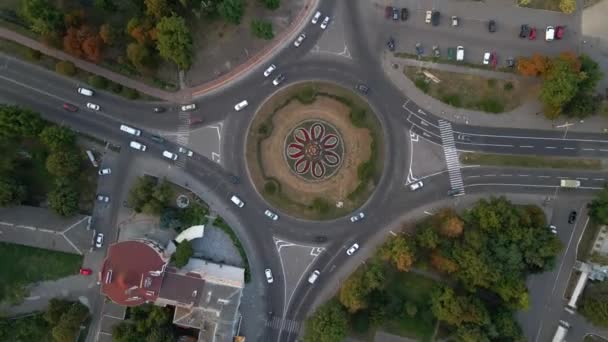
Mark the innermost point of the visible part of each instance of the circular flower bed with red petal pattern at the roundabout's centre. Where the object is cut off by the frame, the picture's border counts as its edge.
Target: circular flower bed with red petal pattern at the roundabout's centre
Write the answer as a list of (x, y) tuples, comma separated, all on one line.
[(314, 150)]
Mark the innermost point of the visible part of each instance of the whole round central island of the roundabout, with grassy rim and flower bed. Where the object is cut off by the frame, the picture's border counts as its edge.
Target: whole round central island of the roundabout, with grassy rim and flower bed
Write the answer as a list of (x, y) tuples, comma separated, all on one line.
[(313, 151)]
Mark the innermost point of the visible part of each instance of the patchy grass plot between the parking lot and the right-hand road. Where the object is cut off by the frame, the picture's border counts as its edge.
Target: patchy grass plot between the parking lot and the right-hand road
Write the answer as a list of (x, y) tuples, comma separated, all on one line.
[(472, 92)]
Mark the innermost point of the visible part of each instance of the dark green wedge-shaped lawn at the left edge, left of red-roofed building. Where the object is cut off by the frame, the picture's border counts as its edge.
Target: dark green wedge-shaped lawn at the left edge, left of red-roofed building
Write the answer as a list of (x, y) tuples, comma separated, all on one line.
[(23, 265)]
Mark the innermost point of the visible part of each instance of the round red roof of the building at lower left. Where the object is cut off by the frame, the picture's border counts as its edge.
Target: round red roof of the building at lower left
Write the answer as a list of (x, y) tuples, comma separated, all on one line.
[(132, 273)]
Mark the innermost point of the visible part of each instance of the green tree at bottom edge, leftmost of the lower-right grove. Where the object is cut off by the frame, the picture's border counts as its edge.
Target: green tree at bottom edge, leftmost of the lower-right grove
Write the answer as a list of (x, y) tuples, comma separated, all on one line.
[(329, 323)]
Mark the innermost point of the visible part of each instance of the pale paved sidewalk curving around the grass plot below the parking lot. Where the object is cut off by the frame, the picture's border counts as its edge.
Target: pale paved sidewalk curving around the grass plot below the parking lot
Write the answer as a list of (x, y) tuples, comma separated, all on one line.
[(524, 117)]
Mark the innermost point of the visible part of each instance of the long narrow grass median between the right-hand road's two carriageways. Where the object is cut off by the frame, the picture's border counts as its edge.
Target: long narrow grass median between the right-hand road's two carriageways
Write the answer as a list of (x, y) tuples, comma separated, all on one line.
[(473, 158)]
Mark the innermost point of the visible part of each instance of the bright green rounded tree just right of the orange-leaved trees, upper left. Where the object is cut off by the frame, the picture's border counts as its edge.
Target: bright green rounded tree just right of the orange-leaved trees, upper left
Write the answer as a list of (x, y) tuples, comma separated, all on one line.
[(174, 41)]
